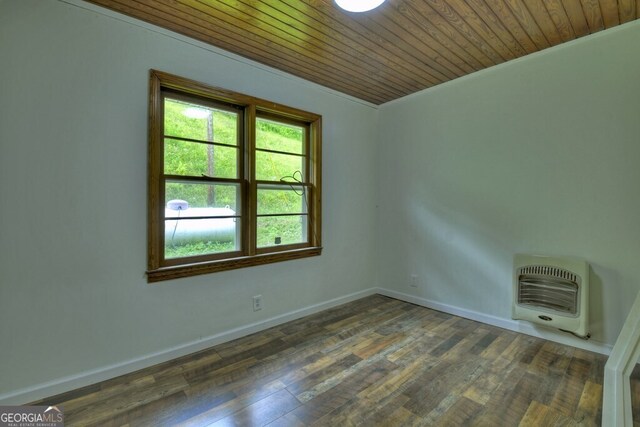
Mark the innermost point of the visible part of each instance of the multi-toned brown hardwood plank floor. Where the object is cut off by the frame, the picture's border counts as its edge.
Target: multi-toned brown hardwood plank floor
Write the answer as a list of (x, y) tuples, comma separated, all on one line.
[(375, 361)]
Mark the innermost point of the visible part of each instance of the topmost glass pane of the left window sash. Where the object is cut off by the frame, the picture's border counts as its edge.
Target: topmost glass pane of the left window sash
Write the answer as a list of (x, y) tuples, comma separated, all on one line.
[(188, 120)]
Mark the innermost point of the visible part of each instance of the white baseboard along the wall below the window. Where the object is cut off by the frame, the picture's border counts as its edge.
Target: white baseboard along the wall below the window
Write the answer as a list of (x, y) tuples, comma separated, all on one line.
[(51, 388)]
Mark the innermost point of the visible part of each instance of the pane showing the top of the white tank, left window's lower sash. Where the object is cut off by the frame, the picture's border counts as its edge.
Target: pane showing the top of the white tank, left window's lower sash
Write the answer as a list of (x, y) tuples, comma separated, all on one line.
[(201, 199)]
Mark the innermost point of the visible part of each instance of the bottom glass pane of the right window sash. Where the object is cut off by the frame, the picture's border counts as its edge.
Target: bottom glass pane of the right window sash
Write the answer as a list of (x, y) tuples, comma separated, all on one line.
[(281, 230)]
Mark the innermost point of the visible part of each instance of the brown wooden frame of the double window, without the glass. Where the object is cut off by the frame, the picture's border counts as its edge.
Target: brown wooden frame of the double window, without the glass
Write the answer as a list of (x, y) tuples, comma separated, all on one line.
[(159, 268)]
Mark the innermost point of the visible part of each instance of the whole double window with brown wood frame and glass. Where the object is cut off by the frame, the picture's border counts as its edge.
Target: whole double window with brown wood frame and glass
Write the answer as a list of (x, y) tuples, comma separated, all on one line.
[(234, 181)]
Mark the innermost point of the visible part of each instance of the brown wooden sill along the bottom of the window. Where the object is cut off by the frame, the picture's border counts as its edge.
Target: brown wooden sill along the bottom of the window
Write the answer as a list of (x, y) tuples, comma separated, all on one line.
[(168, 273)]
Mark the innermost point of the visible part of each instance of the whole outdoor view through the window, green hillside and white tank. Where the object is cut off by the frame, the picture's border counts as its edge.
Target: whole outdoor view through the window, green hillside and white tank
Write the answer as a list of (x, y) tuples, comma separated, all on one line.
[(204, 216)]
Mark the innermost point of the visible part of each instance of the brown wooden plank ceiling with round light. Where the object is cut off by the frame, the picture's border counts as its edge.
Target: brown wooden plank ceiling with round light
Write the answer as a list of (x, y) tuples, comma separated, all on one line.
[(399, 48)]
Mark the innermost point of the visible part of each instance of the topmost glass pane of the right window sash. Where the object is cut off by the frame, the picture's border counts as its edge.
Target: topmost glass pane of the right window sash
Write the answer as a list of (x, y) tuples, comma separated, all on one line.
[(279, 136)]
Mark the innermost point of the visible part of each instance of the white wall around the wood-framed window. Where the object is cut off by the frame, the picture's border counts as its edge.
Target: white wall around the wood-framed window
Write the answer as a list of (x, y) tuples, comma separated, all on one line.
[(73, 141)]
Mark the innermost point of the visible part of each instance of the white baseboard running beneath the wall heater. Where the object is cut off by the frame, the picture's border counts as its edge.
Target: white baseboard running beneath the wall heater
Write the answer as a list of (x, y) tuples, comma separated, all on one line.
[(510, 324)]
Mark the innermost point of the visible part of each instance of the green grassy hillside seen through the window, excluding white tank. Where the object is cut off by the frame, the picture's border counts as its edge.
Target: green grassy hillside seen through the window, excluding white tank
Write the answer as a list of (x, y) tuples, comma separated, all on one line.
[(189, 158)]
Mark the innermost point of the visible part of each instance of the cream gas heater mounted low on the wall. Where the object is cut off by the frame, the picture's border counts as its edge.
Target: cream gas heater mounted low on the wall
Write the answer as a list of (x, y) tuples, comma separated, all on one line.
[(553, 292)]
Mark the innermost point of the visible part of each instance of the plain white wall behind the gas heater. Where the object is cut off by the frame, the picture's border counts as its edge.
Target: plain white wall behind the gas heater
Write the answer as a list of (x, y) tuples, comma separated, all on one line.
[(539, 155)]
